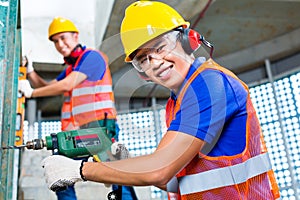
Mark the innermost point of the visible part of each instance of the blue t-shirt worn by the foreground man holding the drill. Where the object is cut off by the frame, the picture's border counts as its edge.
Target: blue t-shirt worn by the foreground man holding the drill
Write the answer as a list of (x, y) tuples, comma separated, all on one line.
[(213, 109)]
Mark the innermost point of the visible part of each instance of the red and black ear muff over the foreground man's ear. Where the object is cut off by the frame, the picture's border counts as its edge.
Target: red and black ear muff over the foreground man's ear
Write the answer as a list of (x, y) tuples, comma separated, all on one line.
[(191, 40)]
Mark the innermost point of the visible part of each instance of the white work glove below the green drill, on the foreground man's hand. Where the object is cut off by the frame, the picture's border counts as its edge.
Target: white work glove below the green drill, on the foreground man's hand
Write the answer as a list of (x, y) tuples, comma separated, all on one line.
[(61, 172)]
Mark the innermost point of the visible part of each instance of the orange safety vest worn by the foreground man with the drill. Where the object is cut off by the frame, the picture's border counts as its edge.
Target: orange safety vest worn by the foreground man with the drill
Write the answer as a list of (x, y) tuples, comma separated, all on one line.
[(247, 175)]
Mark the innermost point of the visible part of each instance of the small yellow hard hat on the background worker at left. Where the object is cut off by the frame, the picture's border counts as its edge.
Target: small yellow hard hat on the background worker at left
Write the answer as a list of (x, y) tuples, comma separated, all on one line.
[(60, 25)]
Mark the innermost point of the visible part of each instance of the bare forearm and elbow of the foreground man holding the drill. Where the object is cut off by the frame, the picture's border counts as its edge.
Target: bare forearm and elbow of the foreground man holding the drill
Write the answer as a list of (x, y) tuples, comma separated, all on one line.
[(174, 152)]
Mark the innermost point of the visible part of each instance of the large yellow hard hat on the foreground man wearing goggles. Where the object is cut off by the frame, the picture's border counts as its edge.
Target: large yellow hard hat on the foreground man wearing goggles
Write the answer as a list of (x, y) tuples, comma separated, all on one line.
[(145, 20)]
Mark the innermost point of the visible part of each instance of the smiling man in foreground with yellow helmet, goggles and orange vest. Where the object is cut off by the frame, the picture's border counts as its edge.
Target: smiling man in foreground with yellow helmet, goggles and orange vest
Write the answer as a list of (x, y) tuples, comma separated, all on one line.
[(213, 148)]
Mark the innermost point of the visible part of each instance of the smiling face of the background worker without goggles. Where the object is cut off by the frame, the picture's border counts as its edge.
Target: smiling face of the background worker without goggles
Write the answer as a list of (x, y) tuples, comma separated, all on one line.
[(65, 42)]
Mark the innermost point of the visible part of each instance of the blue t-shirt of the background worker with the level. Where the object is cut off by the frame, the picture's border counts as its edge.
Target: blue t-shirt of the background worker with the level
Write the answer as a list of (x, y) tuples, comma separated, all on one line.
[(91, 64)]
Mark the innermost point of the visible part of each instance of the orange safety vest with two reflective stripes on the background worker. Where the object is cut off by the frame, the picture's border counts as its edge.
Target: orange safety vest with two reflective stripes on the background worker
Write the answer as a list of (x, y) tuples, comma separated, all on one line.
[(89, 101)]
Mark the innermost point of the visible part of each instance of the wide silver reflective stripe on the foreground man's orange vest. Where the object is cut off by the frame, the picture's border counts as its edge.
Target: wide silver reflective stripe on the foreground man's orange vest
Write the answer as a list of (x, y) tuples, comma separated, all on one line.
[(231, 175)]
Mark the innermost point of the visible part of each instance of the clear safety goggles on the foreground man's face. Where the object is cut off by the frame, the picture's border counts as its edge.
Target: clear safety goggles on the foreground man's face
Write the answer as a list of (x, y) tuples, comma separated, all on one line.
[(156, 49)]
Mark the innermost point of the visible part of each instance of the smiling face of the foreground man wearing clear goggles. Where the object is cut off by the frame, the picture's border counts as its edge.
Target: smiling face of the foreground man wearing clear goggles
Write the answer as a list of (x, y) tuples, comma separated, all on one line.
[(164, 61)]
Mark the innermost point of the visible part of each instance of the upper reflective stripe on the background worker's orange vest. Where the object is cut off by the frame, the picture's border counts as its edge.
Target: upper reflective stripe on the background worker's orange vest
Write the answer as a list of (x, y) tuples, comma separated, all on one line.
[(91, 90)]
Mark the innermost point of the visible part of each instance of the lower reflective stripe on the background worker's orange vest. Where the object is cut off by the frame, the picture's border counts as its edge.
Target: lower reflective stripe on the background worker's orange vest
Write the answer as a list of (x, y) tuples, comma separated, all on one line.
[(92, 106)]
